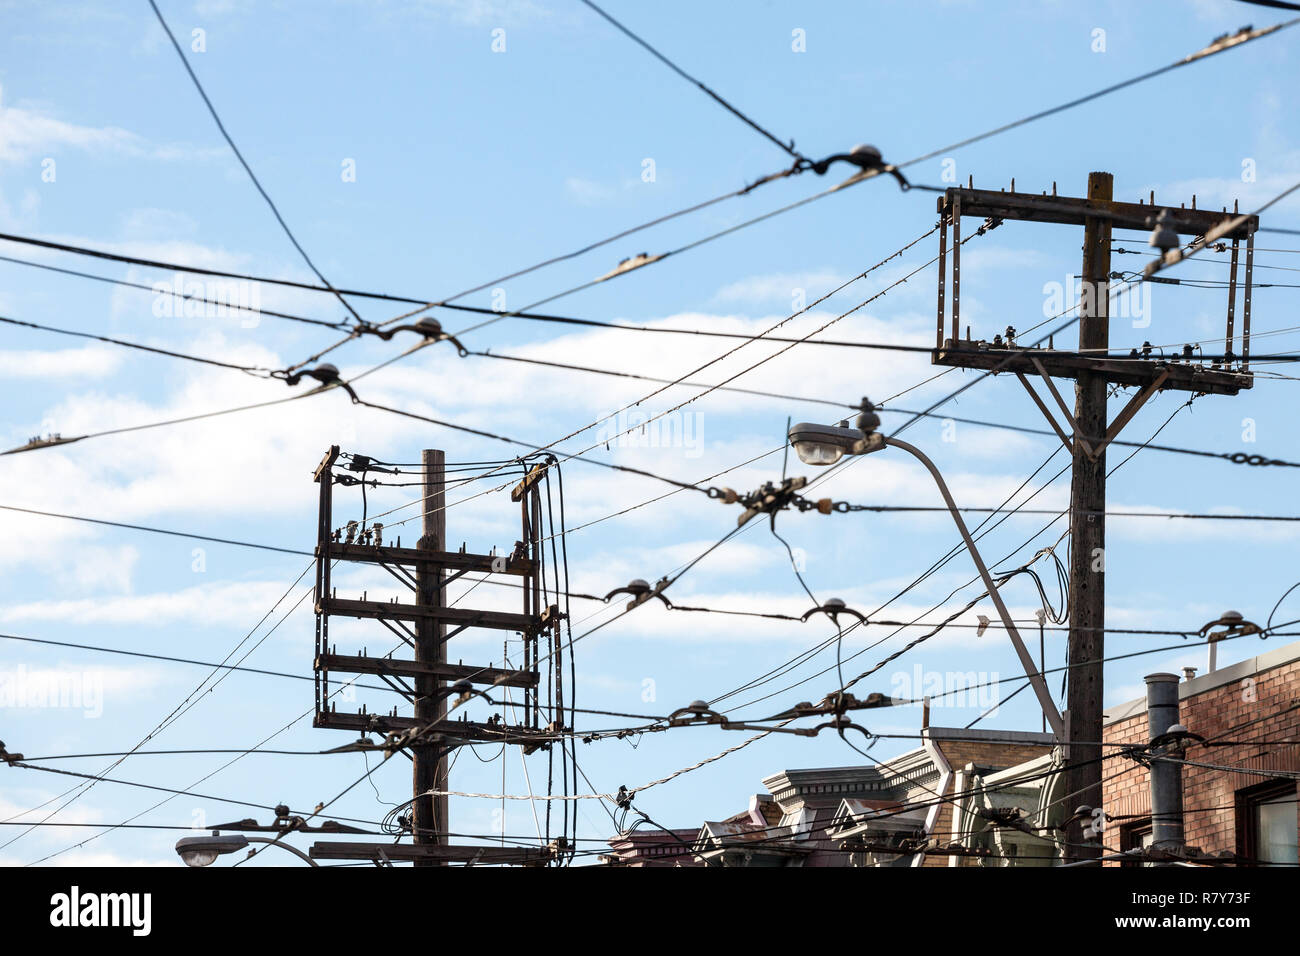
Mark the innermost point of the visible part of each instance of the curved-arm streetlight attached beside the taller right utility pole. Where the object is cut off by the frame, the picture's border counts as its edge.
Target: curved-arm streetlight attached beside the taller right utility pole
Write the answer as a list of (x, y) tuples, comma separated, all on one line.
[(822, 445)]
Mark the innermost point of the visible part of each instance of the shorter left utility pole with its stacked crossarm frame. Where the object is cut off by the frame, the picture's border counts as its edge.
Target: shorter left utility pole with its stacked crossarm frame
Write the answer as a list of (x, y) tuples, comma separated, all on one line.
[(426, 626)]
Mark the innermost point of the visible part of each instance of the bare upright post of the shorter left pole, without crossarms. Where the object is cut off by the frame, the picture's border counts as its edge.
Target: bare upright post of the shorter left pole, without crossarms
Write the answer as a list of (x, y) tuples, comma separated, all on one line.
[(430, 764)]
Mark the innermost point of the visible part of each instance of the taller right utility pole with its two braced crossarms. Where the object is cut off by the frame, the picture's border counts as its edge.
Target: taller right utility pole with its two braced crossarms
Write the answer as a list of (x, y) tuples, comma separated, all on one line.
[(1086, 431)]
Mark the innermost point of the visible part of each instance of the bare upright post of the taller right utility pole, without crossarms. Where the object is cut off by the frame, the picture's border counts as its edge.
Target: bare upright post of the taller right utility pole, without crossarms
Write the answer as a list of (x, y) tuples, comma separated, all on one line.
[(1089, 530)]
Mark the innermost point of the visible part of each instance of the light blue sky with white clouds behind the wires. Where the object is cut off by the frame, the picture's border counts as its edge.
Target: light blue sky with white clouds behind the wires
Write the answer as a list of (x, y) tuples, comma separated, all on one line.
[(473, 163)]
